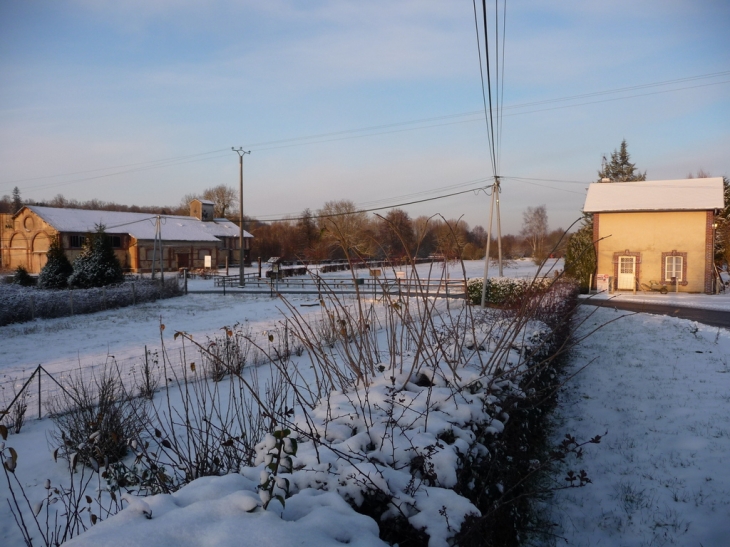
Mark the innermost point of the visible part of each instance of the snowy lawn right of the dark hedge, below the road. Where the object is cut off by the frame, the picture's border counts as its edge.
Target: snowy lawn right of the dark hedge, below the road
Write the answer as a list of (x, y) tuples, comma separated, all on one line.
[(660, 388)]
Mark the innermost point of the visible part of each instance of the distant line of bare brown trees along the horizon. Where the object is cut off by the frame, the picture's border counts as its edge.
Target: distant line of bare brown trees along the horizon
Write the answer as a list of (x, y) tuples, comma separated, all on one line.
[(338, 230)]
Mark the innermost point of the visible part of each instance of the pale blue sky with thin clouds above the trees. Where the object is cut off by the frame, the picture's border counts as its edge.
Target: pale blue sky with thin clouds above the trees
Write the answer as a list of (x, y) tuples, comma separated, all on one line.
[(93, 94)]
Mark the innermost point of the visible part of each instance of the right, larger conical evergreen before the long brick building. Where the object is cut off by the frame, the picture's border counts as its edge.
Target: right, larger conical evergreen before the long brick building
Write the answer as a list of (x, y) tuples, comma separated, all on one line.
[(97, 265)]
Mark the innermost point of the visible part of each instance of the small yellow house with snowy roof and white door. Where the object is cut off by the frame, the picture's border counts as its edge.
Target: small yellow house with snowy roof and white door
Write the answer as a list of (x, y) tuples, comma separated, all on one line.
[(660, 231)]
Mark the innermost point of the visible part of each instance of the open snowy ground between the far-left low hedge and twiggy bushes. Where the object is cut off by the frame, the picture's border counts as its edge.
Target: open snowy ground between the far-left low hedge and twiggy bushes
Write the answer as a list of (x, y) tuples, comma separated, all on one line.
[(69, 342)]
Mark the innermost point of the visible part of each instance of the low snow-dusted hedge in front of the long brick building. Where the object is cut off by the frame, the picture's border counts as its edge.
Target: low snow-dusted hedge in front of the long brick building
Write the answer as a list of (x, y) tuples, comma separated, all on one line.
[(18, 304)]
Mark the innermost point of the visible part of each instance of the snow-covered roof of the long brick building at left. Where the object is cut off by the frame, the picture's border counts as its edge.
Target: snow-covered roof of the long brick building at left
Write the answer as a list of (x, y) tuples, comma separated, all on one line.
[(138, 225)]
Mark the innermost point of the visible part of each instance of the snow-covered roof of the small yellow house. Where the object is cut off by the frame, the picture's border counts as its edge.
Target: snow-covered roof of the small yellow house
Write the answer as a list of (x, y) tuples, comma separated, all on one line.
[(655, 195)]
